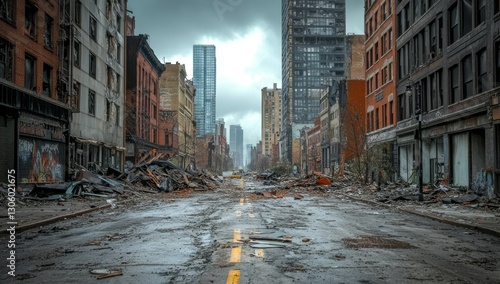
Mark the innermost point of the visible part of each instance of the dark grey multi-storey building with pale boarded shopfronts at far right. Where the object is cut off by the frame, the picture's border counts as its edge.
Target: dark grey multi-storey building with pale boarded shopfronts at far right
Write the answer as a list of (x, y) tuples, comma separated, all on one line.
[(448, 71)]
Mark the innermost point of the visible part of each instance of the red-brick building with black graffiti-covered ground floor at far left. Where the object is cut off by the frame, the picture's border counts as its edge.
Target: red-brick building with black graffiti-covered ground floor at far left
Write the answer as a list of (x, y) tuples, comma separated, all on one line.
[(34, 110)]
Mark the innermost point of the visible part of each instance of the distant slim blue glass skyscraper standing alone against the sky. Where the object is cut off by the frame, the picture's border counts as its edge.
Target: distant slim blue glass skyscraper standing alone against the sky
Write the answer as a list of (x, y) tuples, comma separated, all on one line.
[(204, 80)]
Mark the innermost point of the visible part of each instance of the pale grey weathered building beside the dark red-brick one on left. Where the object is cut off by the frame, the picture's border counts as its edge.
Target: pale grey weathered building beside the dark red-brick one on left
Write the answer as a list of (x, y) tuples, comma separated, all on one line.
[(93, 71)]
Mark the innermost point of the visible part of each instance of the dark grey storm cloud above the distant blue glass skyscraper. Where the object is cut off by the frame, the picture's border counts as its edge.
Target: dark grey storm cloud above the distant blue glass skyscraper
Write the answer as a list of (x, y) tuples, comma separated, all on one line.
[(175, 25)]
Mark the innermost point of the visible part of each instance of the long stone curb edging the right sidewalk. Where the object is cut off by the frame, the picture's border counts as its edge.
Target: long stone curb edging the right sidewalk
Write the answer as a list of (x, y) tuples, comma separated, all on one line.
[(479, 228)]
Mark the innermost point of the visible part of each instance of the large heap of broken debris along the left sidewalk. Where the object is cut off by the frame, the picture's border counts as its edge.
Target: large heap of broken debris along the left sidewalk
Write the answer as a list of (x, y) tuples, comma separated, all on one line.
[(152, 176)]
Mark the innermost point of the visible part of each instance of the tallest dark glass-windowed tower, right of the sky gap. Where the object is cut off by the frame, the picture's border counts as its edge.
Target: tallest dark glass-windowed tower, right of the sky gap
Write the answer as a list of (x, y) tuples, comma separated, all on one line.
[(313, 55)]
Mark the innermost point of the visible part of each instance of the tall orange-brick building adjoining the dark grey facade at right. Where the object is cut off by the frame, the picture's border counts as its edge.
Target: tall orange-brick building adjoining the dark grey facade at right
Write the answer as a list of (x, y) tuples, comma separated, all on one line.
[(381, 99)]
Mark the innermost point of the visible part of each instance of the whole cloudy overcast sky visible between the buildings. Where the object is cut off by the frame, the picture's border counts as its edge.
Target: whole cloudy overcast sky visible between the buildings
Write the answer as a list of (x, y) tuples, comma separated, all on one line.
[(247, 36)]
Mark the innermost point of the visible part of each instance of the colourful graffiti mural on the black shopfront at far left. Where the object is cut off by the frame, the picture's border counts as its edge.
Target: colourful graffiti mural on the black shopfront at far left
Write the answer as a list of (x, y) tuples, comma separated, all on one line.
[(41, 161)]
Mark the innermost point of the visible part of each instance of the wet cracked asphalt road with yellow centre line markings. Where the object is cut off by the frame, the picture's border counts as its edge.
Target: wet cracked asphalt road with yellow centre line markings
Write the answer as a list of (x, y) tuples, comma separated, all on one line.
[(195, 240)]
